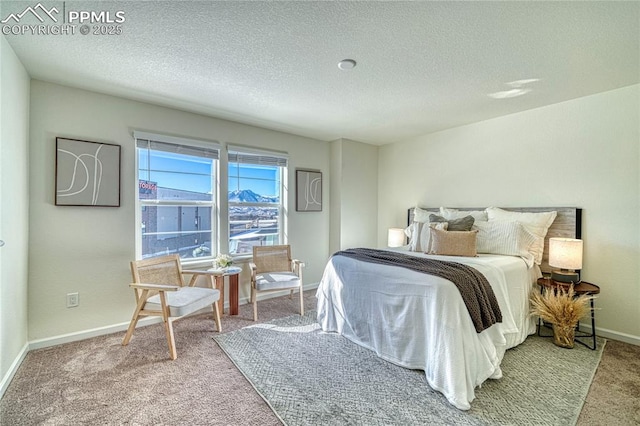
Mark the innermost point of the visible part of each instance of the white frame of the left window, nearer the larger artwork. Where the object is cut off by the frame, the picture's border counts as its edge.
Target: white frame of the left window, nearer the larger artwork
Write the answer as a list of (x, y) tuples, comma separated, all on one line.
[(186, 146)]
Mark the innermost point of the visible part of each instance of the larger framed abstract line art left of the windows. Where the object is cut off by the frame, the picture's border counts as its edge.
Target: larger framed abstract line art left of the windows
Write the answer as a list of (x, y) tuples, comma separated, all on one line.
[(87, 173)]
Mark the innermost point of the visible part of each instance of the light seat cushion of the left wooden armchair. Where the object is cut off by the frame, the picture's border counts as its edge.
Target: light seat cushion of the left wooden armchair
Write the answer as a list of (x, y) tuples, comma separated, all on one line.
[(185, 301)]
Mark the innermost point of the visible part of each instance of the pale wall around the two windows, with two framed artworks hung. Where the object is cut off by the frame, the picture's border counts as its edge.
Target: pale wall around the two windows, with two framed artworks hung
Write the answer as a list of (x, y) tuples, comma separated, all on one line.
[(88, 249)]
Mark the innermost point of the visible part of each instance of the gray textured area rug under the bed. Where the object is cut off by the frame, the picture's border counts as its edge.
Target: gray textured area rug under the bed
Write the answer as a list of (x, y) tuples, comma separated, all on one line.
[(309, 377)]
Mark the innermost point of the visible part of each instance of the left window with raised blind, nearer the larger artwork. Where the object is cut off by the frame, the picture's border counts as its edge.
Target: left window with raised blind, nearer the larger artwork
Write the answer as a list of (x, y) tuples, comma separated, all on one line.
[(176, 196)]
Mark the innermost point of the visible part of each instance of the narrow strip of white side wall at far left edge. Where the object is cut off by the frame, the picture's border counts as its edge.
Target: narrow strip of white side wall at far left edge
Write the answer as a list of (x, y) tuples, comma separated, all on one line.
[(14, 211)]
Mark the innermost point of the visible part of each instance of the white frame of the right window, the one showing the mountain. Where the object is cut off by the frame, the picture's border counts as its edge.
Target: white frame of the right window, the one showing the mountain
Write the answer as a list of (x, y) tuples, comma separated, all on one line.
[(253, 156)]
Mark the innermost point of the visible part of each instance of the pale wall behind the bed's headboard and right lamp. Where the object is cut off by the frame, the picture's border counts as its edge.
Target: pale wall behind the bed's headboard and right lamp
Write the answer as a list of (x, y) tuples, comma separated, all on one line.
[(581, 153)]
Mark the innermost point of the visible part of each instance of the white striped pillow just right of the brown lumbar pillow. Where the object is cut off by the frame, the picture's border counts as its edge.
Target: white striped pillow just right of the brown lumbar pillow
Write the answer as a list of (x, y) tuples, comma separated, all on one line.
[(508, 238)]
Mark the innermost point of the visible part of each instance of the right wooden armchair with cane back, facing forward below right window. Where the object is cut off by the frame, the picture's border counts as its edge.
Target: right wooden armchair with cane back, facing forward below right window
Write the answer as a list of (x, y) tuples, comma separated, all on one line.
[(273, 269)]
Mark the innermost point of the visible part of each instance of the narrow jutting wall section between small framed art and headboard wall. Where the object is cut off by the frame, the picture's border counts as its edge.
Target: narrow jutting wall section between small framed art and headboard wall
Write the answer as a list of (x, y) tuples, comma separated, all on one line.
[(354, 195)]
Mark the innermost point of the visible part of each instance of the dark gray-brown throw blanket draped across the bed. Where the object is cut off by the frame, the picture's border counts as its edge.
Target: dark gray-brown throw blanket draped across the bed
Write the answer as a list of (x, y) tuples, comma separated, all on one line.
[(474, 288)]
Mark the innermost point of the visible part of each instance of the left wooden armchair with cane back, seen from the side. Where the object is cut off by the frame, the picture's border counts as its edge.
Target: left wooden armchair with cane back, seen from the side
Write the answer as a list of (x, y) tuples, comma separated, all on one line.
[(160, 291)]
